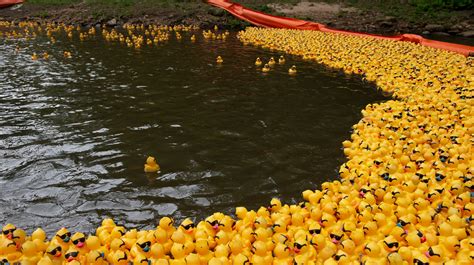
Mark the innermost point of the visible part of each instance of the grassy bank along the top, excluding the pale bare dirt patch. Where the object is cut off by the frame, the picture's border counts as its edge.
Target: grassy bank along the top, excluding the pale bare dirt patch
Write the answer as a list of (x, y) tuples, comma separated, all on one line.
[(405, 15)]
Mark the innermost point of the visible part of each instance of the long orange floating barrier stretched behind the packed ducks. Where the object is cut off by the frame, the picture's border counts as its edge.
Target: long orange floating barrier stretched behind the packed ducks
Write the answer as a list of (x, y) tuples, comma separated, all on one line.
[(266, 20)]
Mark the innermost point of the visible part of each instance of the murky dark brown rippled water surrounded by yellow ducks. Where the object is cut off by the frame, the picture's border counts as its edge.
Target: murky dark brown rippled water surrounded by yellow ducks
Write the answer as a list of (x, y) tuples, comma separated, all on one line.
[(74, 133)]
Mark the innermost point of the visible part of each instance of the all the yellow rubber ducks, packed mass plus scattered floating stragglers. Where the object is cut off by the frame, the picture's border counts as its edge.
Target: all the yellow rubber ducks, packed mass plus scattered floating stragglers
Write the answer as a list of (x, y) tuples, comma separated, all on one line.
[(405, 195)]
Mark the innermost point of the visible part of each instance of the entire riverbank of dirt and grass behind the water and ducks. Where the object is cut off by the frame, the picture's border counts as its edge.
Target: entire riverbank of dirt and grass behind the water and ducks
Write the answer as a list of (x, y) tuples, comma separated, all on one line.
[(360, 17)]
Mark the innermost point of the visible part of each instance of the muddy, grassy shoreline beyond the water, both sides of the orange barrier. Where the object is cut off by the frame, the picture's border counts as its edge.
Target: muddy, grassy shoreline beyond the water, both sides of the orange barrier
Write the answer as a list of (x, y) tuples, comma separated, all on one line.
[(206, 16)]
